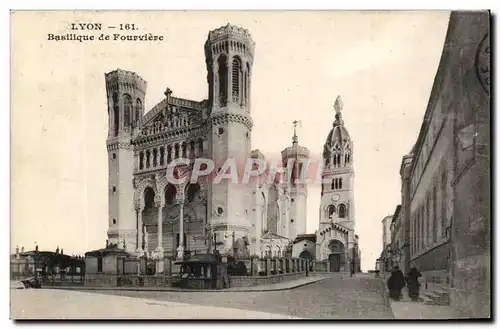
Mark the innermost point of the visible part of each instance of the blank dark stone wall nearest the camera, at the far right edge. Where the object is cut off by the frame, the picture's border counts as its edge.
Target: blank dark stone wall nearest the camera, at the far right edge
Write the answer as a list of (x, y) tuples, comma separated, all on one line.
[(468, 44)]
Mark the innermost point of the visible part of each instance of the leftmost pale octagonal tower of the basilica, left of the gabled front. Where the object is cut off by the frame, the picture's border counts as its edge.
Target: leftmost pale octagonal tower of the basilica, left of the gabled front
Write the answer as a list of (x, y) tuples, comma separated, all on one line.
[(125, 93)]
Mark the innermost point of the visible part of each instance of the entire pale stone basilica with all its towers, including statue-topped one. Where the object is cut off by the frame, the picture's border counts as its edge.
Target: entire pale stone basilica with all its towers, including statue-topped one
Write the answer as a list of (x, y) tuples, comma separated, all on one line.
[(150, 214)]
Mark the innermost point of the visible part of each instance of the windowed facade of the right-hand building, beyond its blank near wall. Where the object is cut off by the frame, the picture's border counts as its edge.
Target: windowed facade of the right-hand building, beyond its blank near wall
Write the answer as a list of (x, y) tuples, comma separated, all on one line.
[(431, 195)]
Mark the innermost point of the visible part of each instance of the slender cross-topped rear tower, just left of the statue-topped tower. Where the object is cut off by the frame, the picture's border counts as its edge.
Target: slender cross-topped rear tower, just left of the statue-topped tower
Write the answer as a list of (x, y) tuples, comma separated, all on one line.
[(296, 156)]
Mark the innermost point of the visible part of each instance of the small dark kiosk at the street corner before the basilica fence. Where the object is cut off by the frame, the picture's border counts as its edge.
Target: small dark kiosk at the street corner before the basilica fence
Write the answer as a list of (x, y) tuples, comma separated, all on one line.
[(203, 272)]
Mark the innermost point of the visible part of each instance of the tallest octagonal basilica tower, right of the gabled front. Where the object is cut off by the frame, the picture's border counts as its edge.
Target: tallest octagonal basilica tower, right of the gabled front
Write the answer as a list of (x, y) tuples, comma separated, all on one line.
[(229, 53)]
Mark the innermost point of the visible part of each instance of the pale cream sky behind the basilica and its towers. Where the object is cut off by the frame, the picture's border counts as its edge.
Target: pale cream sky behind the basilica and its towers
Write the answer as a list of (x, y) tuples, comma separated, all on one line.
[(382, 64)]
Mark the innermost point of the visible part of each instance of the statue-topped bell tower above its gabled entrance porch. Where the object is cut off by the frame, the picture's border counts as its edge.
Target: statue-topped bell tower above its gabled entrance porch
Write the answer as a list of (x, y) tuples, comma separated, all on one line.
[(337, 193)]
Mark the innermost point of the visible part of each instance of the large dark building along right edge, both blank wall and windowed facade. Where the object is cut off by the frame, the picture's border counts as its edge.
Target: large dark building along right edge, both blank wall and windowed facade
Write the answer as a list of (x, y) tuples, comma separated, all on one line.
[(445, 178)]
